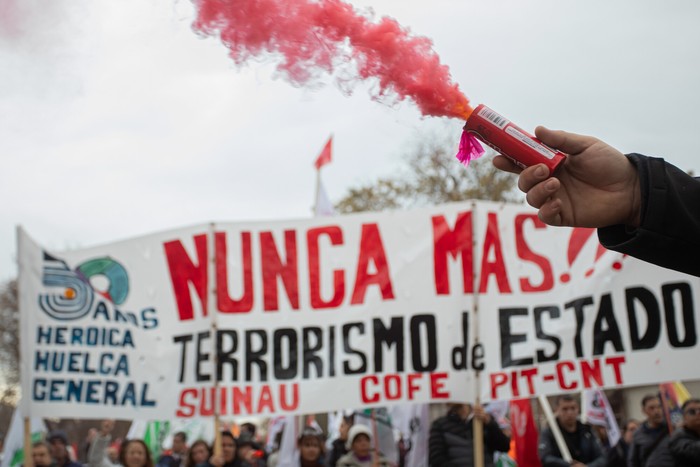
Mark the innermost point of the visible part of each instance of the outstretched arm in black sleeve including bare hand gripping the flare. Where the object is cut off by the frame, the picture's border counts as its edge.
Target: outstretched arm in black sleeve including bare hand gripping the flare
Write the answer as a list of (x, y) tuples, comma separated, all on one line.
[(642, 206)]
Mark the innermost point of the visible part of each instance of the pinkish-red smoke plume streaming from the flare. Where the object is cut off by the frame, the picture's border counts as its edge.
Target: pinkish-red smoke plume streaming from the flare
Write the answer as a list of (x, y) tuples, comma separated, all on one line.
[(312, 37)]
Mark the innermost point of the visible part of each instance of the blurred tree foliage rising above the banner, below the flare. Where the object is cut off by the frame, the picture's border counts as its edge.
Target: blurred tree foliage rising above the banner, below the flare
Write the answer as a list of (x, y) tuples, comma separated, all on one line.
[(432, 175)]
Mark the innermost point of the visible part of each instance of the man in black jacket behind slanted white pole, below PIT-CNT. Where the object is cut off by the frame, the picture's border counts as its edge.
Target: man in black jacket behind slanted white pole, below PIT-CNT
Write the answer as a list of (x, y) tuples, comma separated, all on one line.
[(582, 443)]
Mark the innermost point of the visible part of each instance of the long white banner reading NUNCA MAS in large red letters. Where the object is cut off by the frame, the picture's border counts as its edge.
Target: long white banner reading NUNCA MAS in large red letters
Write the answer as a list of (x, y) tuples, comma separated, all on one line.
[(364, 310)]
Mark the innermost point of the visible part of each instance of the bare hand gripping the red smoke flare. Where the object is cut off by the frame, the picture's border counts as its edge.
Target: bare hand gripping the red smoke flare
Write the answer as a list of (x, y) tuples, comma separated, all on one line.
[(596, 186)]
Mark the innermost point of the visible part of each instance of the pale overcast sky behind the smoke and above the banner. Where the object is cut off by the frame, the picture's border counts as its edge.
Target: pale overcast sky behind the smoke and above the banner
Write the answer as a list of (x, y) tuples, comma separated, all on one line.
[(116, 120)]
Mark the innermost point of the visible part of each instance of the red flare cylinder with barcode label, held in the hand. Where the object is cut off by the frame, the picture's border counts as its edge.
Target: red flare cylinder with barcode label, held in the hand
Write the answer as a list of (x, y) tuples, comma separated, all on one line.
[(510, 140)]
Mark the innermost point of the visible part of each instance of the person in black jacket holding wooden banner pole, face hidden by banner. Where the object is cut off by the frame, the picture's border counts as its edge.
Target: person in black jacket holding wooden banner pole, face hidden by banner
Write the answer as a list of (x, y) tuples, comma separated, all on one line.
[(451, 441)]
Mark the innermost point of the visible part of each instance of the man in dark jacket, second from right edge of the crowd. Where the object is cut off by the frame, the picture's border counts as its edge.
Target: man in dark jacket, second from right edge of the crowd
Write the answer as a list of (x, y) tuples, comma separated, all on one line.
[(650, 442)]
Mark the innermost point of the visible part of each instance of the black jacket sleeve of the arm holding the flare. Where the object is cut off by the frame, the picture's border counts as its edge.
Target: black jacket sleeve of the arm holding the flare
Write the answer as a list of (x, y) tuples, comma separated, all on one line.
[(669, 232)]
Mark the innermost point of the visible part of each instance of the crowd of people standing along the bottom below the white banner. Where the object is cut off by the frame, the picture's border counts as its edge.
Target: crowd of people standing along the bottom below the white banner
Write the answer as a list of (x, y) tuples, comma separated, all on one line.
[(649, 443)]
